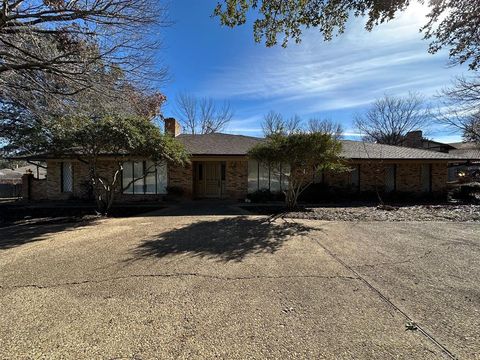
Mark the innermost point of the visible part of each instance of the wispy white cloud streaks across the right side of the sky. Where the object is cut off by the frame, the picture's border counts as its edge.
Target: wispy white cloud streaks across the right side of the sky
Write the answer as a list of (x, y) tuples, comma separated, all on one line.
[(351, 71)]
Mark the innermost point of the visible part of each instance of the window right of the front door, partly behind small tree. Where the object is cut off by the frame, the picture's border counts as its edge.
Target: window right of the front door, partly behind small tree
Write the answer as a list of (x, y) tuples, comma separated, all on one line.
[(261, 176)]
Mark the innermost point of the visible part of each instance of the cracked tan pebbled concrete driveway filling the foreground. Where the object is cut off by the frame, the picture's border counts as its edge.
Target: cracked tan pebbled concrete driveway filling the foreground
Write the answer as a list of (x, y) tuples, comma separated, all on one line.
[(239, 287)]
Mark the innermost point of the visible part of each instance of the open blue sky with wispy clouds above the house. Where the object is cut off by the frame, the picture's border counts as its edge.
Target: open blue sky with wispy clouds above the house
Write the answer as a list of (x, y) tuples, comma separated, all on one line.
[(335, 80)]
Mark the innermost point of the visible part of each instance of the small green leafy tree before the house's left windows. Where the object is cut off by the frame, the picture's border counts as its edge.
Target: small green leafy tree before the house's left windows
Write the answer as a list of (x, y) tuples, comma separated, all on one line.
[(88, 139)]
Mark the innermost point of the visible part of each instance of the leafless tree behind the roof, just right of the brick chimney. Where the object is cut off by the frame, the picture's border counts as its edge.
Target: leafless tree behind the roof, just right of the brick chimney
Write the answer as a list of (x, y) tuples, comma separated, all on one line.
[(202, 116)]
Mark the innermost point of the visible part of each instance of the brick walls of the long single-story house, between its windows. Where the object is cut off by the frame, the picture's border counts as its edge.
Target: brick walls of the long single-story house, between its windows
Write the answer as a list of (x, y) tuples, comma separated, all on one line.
[(371, 175)]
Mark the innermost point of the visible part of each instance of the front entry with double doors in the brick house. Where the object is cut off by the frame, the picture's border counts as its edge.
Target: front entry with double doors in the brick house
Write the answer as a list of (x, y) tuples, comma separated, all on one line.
[(208, 179)]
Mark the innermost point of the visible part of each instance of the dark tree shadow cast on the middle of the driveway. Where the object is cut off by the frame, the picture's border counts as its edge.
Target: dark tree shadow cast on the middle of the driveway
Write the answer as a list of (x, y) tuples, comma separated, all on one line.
[(228, 239)]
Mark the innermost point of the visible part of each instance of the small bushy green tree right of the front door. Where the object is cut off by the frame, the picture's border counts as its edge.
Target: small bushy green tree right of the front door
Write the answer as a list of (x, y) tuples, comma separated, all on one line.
[(297, 155)]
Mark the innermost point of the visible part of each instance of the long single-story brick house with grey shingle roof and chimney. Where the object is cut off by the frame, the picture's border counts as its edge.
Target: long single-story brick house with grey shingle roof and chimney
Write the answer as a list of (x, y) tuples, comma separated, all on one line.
[(220, 168)]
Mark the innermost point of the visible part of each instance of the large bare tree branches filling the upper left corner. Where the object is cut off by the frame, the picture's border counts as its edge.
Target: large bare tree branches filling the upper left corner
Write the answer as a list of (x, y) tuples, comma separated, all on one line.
[(67, 40)]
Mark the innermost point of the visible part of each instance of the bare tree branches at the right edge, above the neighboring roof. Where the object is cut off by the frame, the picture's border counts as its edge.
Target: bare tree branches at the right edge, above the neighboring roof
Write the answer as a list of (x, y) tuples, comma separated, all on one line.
[(461, 109)]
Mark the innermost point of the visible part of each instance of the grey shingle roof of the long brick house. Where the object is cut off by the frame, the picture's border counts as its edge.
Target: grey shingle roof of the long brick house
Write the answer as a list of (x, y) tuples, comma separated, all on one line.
[(227, 144)]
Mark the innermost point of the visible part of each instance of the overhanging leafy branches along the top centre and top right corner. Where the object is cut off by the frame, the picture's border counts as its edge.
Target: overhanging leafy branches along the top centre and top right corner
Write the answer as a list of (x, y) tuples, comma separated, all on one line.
[(452, 24)]
